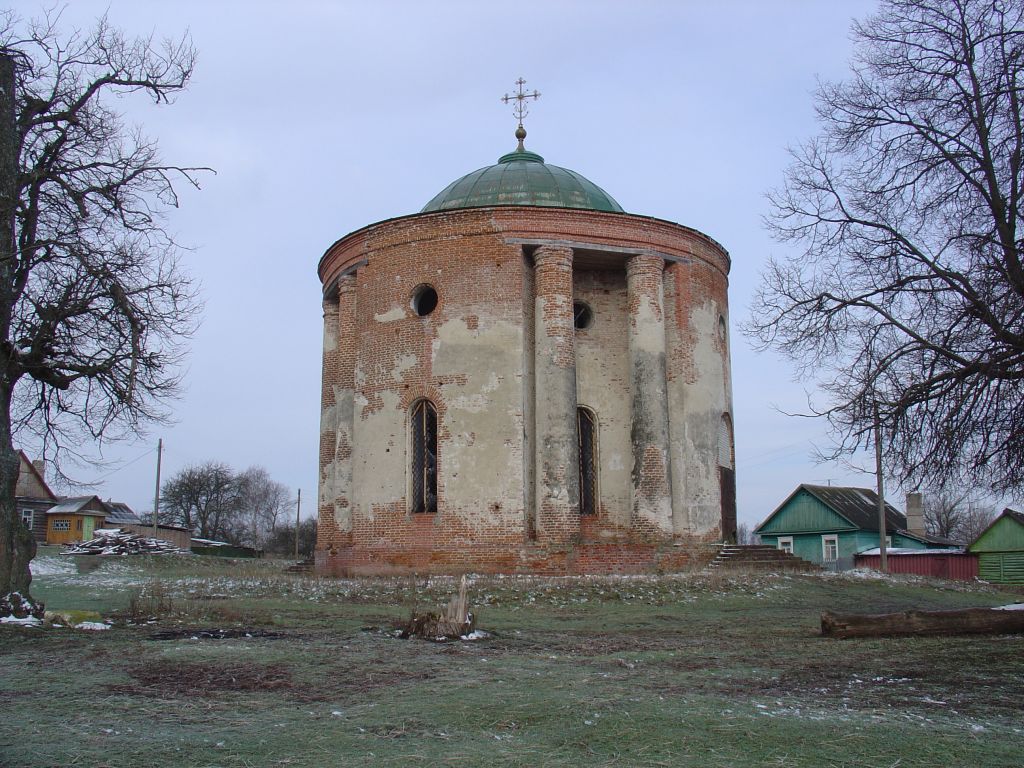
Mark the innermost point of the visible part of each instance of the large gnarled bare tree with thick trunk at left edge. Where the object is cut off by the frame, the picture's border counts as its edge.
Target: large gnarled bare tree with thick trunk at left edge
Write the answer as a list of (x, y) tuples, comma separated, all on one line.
[(94, 308)]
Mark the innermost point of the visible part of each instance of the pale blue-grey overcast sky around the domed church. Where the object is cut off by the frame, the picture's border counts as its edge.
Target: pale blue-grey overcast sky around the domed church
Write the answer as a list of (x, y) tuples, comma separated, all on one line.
[(323, 117)]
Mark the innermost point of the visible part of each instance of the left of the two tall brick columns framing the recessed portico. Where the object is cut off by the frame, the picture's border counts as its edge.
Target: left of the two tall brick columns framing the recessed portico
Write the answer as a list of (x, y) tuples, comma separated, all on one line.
[(558, 447)]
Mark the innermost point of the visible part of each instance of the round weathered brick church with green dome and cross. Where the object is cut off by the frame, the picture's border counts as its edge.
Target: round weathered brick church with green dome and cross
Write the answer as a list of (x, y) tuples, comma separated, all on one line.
[(525, 378)]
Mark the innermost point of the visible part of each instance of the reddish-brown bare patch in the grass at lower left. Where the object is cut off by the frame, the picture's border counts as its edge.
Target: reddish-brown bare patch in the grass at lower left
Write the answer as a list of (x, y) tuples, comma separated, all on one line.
[(167, 679)]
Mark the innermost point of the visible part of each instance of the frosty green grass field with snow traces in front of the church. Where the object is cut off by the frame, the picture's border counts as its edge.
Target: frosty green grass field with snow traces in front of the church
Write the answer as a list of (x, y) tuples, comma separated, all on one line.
[(217, 663)]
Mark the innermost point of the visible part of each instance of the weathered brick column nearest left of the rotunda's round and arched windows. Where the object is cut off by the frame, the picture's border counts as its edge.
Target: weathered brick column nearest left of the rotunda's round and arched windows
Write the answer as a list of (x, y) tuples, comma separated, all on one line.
[(345, 397)]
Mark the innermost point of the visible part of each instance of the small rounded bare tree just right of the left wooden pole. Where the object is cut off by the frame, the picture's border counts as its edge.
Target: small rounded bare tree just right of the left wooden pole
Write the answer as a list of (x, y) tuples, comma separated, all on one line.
[(203, 499)]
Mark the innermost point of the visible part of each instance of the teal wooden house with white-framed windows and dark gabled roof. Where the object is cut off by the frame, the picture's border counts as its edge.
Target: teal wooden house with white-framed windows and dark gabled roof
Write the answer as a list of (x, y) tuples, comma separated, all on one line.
[(829, 525)]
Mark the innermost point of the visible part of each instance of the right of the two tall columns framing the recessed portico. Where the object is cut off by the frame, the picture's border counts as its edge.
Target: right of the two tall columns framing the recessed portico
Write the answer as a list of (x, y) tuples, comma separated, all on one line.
[(652, 513)]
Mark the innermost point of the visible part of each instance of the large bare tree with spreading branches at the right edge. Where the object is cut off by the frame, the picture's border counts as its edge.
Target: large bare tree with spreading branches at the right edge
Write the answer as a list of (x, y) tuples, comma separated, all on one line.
[(908, 290)]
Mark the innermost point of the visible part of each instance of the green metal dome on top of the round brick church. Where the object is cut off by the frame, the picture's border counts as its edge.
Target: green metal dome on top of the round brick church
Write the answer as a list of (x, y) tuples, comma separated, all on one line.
[(523, 179)]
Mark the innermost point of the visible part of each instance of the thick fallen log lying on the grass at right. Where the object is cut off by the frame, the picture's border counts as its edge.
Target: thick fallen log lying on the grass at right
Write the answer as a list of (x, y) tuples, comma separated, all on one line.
[(924, 623)]
